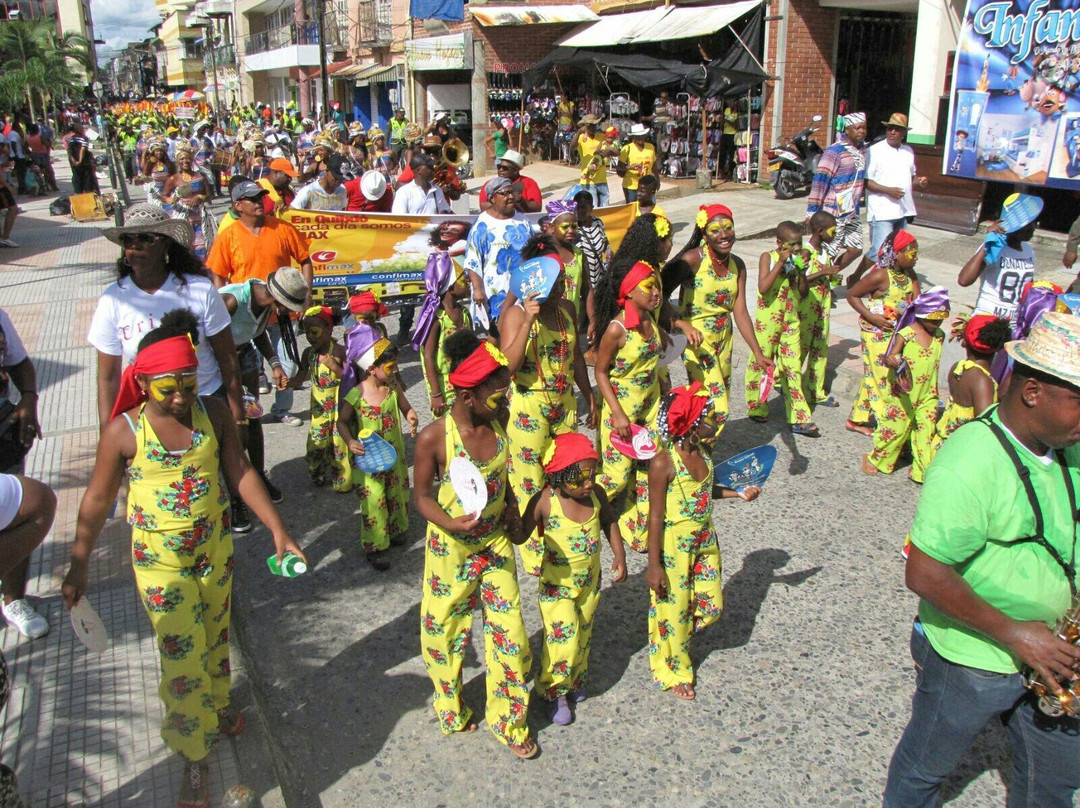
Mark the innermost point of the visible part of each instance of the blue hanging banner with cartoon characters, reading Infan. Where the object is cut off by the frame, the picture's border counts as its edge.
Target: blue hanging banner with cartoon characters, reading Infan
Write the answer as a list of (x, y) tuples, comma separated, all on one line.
[(1015, 114)]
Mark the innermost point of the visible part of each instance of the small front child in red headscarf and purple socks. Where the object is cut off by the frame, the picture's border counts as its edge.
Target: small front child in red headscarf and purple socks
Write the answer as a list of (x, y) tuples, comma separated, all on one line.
[(572, 514)]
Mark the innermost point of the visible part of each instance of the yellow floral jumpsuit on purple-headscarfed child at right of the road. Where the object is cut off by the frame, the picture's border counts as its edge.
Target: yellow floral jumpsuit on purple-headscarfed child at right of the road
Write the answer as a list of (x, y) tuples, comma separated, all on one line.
[(913, 414)]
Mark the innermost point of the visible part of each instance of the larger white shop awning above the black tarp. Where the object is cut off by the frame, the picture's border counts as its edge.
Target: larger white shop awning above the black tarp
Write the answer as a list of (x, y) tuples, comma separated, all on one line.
[(659, 25)]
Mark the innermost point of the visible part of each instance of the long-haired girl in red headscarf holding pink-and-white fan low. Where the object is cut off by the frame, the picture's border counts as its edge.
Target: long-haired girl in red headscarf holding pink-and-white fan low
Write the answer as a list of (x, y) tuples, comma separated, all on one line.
[(628, 372)]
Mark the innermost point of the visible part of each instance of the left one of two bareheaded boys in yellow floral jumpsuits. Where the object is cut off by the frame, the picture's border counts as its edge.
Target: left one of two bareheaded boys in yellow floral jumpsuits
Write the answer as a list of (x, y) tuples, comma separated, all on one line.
[(781, 286)]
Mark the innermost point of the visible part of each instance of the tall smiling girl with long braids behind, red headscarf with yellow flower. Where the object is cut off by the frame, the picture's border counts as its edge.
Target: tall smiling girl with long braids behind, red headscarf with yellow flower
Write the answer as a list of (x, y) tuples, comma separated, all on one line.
[(712, 286)]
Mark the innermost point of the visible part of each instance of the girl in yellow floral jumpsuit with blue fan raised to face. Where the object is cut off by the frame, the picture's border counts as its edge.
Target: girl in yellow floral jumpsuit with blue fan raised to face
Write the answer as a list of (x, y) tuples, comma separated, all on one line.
[(541, 342)]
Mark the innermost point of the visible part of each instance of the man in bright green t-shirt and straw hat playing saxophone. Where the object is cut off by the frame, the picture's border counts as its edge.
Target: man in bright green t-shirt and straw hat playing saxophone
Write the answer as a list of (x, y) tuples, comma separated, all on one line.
[(993, 559)]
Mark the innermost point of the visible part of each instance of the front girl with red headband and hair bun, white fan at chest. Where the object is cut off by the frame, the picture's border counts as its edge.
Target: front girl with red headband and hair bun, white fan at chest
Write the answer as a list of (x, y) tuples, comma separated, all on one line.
[(469, 561)]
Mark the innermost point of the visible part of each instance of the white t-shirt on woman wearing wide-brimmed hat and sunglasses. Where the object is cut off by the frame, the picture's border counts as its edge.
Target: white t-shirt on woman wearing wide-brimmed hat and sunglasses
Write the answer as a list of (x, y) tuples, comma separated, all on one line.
[(126, 314)]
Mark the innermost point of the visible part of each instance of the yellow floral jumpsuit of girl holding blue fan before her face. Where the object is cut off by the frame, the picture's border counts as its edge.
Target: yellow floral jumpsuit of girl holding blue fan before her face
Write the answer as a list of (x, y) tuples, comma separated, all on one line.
[(543, 406)]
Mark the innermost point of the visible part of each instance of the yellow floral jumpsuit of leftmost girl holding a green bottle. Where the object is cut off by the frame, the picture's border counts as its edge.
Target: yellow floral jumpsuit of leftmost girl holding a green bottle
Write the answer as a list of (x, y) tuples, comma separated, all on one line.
[(182, 550)]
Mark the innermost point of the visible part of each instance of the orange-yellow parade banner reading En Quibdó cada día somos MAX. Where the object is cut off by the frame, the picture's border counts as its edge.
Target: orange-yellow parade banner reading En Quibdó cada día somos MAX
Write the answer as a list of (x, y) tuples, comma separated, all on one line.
[(390, 252)]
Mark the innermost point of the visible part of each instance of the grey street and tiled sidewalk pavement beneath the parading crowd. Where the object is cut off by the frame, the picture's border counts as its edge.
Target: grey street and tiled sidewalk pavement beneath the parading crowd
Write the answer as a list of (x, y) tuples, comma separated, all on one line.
[(804, 686)]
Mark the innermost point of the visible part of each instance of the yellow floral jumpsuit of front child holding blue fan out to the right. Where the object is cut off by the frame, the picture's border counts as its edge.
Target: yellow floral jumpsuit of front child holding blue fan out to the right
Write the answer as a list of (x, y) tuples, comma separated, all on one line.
[(692, 560)]
